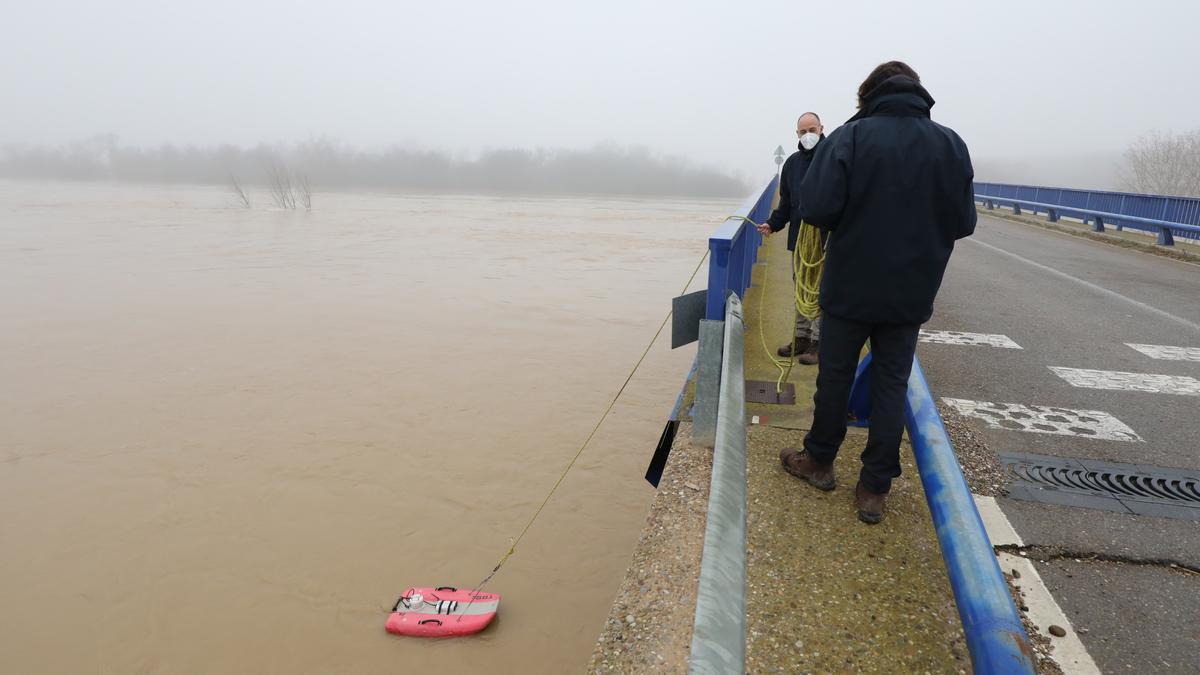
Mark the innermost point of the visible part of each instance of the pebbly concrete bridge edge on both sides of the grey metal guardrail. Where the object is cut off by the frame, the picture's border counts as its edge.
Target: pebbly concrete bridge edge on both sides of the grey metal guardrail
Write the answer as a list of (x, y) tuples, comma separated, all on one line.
[(825, 592)]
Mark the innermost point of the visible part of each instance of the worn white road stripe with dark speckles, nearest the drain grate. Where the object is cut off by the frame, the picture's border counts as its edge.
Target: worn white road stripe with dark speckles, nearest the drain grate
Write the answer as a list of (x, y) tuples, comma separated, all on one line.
[(1041, 420)]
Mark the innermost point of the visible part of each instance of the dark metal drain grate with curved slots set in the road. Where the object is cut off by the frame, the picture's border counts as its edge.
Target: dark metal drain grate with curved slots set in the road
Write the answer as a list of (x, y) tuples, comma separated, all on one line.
[(1126, 488)]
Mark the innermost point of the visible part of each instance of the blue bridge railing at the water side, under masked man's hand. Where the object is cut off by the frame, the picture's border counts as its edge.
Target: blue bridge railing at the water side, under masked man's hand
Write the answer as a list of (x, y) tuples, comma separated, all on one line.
[(734, 250)]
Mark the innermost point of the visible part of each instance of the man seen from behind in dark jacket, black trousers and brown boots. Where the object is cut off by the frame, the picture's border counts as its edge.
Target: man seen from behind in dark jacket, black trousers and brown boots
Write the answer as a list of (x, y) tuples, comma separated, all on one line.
[(895, 190)]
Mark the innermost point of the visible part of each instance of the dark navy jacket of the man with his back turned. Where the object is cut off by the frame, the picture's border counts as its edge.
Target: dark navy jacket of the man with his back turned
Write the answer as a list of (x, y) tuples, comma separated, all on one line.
[(896, 192)]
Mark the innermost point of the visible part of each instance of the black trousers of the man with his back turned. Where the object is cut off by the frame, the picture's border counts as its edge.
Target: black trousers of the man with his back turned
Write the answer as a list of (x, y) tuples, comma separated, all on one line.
[(892, 350)]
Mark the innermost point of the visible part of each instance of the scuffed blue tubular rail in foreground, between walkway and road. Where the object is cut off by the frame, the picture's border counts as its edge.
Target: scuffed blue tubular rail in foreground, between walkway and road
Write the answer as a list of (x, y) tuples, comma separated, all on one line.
[(995, 637)]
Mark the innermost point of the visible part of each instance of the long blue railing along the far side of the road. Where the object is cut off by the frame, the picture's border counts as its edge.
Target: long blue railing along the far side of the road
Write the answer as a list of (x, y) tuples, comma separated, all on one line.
[(1163, 216)]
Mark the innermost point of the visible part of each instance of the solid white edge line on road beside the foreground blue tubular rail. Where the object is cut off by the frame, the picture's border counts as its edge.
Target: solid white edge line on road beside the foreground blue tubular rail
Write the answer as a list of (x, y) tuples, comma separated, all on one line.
[(1043, 611)]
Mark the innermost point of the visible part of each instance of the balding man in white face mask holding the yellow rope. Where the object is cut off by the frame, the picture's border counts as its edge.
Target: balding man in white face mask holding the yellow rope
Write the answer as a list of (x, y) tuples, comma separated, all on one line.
[(809, 130)]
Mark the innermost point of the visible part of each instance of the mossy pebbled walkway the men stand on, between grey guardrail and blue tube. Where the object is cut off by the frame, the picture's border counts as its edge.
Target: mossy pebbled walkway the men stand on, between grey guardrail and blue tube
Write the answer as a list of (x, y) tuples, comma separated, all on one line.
[(827, 593)]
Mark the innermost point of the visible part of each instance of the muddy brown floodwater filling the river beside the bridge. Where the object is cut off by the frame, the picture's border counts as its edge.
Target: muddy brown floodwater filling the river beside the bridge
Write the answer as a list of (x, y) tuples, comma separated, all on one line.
[(230, 439)]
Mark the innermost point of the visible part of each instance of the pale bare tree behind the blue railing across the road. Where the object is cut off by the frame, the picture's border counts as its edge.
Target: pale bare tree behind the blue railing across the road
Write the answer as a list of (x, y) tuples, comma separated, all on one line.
[(1165, 164)]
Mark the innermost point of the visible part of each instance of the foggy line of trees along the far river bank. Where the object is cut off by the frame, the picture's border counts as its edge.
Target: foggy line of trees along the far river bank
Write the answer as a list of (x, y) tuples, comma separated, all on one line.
[(604, 170)]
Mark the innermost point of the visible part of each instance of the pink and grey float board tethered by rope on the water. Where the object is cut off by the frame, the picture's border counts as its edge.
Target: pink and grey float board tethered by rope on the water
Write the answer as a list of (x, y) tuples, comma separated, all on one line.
[(445, 612)]
